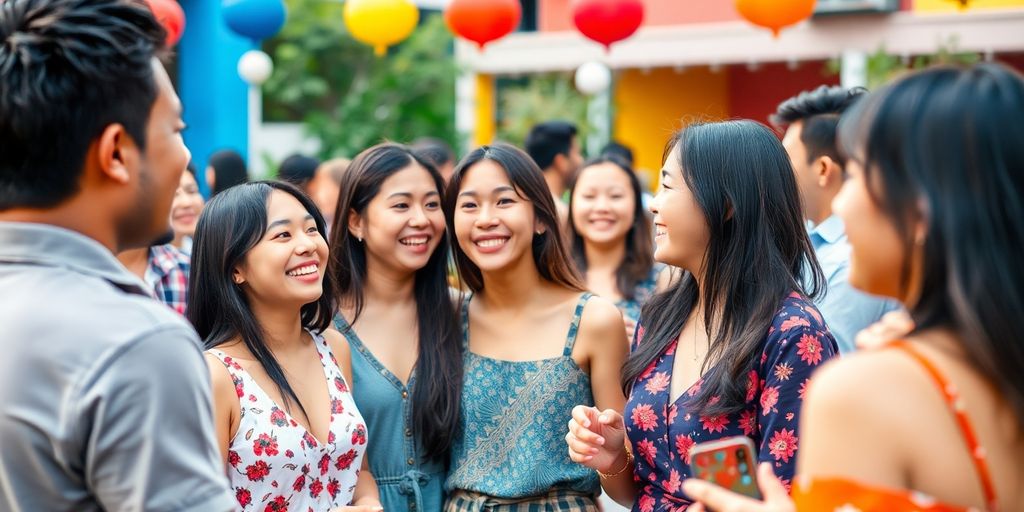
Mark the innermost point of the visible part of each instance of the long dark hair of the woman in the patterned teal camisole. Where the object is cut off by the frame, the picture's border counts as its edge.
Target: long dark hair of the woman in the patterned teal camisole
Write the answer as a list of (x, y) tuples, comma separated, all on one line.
[(550, 254)]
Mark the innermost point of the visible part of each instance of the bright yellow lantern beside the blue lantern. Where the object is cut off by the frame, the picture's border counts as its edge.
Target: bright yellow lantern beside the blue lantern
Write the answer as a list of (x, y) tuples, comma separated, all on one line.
[(381, 23)]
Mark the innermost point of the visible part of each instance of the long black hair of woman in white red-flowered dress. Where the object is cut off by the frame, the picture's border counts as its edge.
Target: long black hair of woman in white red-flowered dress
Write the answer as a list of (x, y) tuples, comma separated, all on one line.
[(232, 224)]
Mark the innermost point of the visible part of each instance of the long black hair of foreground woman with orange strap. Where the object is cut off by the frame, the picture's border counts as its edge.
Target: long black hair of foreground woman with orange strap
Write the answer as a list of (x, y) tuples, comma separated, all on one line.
[(944, 148)]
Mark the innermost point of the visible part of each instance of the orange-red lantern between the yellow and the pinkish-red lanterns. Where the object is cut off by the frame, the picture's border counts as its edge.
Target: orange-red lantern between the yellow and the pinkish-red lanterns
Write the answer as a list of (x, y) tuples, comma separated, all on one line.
[(484, 21)]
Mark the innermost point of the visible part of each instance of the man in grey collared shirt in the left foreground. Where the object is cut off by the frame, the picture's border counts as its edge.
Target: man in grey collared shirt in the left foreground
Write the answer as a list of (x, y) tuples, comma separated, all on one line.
[(105, 396)]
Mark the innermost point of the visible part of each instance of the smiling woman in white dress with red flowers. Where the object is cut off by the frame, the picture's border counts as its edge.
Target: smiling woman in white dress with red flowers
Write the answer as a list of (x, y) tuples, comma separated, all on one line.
[(281, 380)]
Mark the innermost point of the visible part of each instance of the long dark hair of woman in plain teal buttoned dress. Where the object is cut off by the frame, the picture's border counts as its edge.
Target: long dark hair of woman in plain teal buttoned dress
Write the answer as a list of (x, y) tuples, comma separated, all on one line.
[(439, 369)]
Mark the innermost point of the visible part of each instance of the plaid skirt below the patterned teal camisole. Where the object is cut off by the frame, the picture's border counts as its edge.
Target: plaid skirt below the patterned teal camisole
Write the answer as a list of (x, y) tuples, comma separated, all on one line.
[(556, 501)]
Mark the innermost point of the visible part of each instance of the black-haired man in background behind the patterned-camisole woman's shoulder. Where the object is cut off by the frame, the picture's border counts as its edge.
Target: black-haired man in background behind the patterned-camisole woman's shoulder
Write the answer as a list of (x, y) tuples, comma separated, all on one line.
[(556, 149)]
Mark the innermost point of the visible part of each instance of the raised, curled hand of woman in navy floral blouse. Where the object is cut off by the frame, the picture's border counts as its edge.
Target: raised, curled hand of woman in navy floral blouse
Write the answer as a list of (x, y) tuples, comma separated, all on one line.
[(598, 440)]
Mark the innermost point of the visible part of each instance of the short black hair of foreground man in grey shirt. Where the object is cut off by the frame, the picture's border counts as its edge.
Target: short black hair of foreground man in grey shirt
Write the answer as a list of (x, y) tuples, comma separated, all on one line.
[(68, 70)]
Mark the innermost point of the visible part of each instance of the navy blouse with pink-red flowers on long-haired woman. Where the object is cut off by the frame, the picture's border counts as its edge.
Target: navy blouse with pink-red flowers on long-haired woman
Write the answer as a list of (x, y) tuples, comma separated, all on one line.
[(662, 434)]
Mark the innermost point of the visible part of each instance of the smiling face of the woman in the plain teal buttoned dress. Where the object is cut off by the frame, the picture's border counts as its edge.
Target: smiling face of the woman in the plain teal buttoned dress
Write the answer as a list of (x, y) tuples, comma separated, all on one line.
[(403, 225)]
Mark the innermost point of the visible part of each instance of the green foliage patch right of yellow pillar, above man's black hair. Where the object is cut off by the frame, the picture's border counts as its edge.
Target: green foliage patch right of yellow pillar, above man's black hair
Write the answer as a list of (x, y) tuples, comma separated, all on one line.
[(523, 104)]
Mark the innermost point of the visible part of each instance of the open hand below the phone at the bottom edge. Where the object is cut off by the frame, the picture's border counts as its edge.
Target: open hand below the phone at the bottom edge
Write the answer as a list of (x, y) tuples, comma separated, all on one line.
[(707, 495)]
